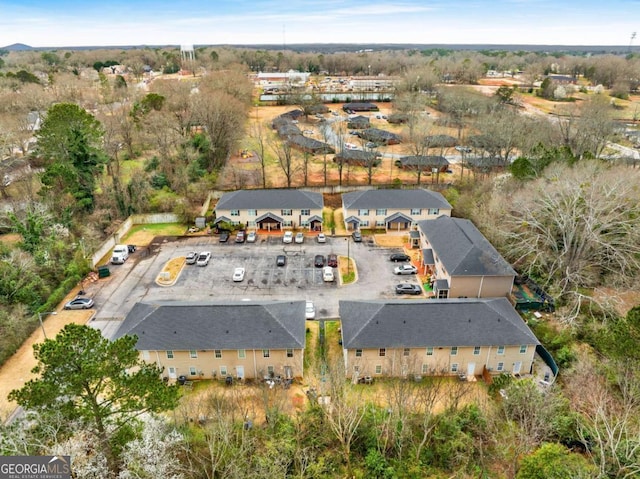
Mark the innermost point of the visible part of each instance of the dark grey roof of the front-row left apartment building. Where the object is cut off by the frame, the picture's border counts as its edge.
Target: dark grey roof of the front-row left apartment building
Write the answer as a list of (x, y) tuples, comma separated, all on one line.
[(183, 325)]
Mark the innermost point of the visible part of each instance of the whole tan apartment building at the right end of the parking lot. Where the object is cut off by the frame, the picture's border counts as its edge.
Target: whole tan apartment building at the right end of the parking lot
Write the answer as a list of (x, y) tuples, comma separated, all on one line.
[(460, 260)]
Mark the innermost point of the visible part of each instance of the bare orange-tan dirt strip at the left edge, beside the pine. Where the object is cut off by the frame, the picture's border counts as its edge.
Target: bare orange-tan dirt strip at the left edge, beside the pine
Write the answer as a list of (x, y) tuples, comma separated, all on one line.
[(17, 370)]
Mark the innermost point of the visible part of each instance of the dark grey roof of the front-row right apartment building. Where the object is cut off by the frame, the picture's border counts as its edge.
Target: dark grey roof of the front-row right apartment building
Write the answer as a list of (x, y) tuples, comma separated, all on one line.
[(432, 323)]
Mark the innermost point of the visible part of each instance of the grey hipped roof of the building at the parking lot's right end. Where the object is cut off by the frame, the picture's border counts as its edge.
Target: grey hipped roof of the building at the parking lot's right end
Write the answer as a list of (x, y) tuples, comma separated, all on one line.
[(462, 249)]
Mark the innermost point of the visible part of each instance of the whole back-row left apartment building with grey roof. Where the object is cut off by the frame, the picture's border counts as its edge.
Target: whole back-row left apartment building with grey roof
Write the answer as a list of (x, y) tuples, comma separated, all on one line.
[(271, 210)]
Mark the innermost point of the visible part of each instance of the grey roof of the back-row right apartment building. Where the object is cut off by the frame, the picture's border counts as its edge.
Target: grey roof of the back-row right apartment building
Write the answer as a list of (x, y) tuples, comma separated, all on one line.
[(394, 199)]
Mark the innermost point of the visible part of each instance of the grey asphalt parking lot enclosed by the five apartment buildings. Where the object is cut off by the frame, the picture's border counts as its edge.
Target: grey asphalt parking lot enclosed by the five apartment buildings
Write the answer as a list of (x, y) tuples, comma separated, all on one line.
[(298, 279)]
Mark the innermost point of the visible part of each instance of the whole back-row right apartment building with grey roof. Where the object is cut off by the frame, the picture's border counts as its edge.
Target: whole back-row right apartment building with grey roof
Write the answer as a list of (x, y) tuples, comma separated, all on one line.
[(393, 210)]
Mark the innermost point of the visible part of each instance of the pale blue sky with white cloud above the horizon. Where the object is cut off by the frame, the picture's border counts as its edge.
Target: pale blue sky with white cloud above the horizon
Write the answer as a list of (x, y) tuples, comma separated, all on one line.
[(58, 23)]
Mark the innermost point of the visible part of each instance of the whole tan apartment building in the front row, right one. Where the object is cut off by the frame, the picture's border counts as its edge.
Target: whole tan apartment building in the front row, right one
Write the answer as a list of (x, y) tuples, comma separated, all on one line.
[(467, 337)]
